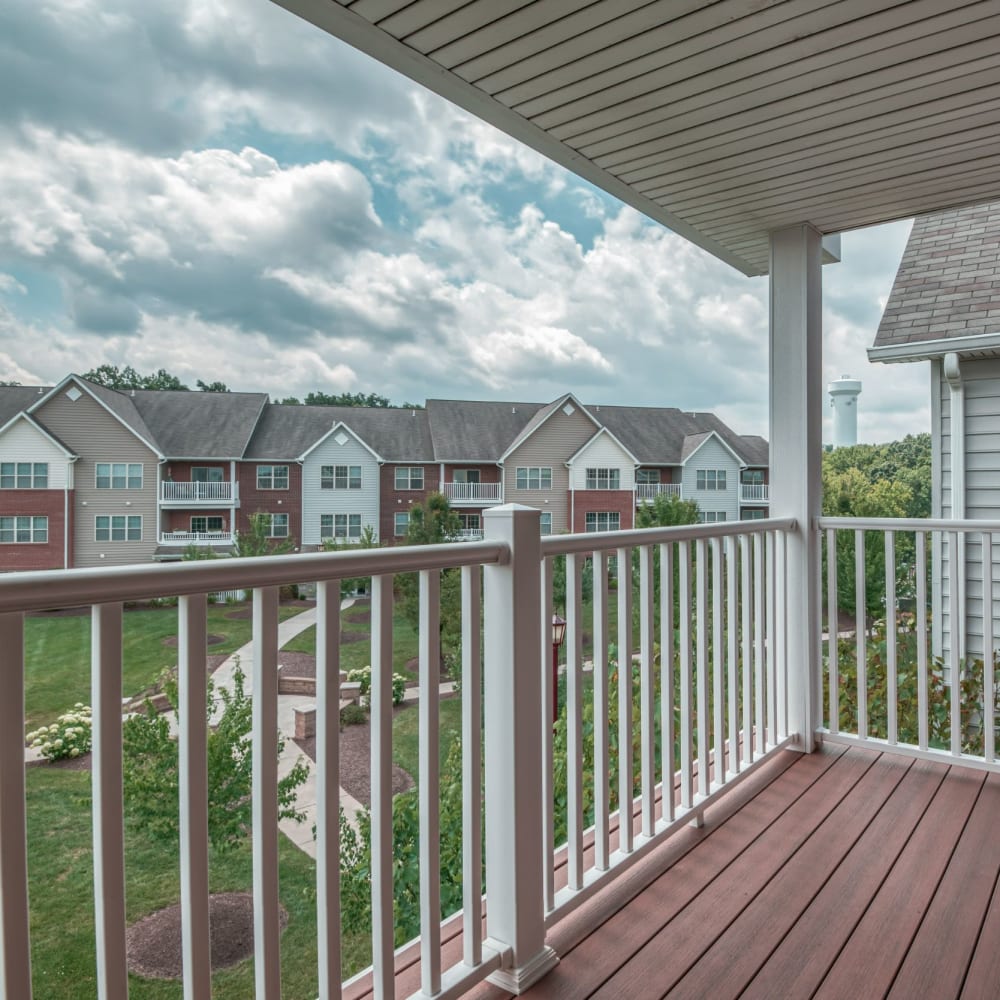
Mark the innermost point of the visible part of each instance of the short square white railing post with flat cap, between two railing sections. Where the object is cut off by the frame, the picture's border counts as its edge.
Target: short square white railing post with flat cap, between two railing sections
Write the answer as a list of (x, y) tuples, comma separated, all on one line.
[(514, 817)]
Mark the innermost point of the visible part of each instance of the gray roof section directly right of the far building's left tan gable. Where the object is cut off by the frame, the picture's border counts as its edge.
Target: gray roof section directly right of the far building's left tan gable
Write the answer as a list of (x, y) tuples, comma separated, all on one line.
[(200, 424)]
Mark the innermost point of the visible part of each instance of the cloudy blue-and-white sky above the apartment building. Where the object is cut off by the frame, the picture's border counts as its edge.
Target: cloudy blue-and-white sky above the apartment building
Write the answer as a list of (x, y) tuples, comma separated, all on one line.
[(217, 188)]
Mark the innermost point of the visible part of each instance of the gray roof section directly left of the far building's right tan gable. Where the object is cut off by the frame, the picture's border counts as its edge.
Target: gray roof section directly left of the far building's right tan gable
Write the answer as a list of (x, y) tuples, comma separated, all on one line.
[(473, 431)]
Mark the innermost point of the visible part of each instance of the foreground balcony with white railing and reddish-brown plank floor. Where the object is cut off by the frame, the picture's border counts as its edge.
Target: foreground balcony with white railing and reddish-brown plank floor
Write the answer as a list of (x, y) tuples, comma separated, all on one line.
[(712, 859)]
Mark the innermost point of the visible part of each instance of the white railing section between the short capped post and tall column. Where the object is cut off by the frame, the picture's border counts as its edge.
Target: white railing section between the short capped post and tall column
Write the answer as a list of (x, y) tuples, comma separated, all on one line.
[(704, 687)]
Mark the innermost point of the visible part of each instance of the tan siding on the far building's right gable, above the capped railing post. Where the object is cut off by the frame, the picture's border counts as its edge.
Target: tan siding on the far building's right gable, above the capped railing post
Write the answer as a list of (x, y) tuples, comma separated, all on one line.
[(550, 446)]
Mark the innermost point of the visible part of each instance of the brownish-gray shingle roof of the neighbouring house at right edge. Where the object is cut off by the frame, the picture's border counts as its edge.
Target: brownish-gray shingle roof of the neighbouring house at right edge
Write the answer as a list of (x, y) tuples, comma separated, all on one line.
[(948, 282)]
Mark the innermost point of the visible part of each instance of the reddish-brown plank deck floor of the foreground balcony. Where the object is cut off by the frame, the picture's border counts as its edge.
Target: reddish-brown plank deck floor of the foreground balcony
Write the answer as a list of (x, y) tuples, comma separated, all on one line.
[(843, 873)]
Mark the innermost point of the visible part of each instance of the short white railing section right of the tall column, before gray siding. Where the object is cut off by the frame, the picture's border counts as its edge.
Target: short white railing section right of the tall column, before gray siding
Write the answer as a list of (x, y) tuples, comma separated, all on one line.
[(895, 674)]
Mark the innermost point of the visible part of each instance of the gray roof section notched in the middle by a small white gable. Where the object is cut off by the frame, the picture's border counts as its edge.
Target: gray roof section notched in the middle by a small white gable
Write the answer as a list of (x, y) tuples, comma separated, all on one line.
[(288, 431)]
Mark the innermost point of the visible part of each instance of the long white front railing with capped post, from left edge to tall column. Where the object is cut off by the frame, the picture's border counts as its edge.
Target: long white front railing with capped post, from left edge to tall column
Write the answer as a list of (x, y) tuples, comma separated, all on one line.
[(716, 621)]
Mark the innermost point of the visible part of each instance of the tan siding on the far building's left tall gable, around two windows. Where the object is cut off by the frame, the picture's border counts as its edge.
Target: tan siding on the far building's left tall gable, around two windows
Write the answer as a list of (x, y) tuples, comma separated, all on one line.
[(97, 436)]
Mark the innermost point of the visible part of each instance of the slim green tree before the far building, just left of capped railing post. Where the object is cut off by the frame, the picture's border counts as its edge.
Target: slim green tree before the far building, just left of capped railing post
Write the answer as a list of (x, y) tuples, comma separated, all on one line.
[(433, 523)]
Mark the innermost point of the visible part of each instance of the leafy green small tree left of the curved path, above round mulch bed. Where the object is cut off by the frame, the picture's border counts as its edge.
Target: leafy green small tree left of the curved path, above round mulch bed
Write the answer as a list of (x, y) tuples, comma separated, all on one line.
[(151, 769)]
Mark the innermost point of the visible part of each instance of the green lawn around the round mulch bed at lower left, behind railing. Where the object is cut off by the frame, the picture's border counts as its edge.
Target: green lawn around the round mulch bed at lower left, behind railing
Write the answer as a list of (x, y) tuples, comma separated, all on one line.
[(61, 886)]
